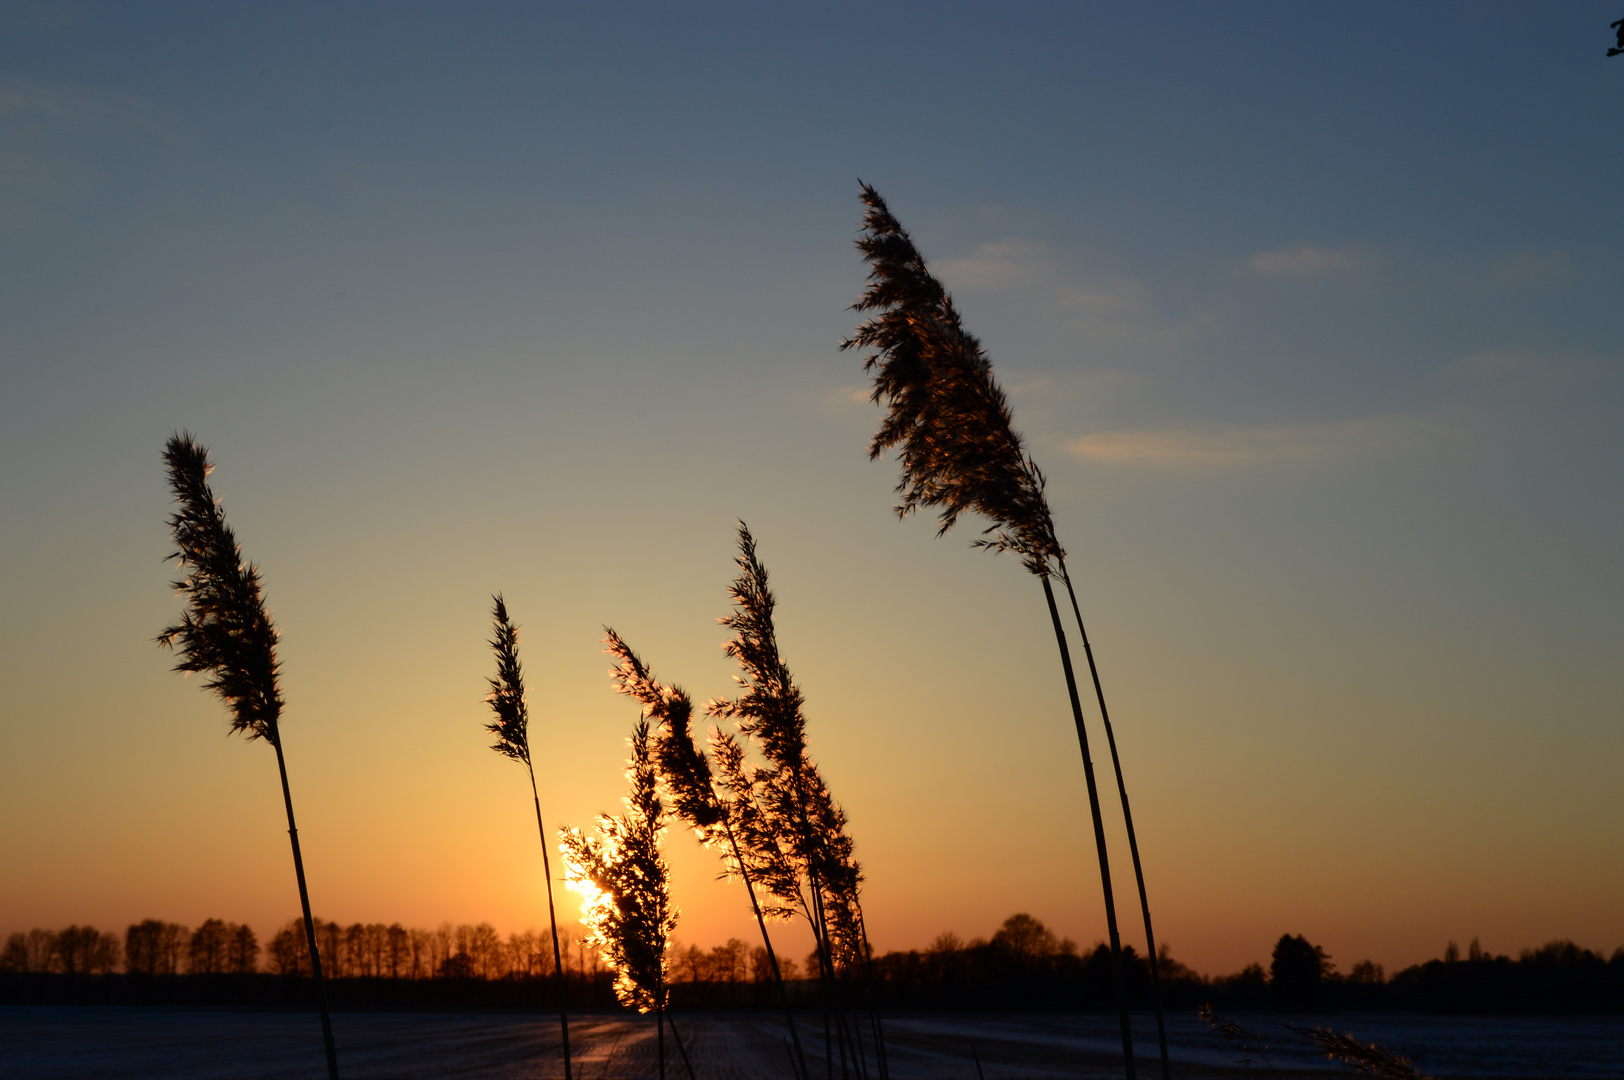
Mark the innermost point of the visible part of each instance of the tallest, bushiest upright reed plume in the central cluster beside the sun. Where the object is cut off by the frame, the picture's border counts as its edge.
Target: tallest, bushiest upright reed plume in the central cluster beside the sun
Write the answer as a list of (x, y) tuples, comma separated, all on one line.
[(788, 816)]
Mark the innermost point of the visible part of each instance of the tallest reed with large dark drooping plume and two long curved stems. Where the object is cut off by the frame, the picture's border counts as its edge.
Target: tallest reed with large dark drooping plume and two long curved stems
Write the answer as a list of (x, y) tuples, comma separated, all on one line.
[(954, 434)]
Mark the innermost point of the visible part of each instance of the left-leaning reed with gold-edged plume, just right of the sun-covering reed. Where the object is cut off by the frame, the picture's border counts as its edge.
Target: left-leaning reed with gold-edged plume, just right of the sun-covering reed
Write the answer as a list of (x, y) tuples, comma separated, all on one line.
[(693, 788)]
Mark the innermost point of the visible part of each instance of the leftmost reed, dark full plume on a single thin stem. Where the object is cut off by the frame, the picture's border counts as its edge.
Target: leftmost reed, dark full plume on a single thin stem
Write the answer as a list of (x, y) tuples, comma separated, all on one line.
[(227, 634)]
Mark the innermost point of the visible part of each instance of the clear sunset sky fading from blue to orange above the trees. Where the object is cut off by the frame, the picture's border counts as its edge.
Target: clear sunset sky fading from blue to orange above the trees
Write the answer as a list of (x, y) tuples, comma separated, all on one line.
[(1308, 313)]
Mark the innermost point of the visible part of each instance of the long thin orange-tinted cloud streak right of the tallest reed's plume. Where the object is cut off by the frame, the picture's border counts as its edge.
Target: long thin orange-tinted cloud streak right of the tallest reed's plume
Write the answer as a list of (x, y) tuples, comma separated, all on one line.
[(1264, 446)]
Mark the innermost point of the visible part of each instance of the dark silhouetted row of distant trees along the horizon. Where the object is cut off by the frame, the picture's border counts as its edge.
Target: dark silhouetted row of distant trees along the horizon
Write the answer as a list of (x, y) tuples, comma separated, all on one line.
[(1022, 966)]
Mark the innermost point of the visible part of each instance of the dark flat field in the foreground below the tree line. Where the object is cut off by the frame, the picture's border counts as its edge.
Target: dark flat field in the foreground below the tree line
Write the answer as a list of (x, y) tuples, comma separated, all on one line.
[(113, 1042)]
